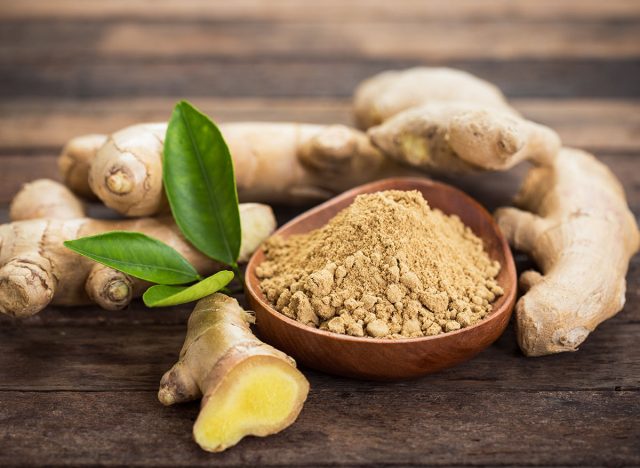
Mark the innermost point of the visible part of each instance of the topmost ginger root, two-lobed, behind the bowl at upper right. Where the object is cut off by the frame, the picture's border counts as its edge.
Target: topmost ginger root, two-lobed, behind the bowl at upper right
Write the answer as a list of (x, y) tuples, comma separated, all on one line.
[(444, 120)]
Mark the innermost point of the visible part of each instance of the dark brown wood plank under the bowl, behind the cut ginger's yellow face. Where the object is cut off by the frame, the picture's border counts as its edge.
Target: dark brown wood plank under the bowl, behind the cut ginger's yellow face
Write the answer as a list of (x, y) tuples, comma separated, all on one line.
[(133, 355)]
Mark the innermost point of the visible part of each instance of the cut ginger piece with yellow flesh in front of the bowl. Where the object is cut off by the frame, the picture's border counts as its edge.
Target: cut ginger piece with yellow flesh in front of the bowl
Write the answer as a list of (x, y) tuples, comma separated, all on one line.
[(247, 387)]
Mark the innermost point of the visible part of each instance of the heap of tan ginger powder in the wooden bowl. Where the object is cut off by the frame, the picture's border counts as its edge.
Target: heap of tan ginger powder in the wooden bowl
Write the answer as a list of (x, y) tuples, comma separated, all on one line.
[(388, 266)]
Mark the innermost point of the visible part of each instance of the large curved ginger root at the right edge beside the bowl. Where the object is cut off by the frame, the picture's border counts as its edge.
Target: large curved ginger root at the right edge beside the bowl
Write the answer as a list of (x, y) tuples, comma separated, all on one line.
[(580, 232)]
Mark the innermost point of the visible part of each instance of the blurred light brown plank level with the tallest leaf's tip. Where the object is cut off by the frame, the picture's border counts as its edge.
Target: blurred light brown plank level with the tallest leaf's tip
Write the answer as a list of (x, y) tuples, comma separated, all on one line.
[(29, 124)]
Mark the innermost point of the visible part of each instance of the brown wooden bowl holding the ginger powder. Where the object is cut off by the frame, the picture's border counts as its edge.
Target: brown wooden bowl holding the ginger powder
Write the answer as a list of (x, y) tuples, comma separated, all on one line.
[(384, 359)]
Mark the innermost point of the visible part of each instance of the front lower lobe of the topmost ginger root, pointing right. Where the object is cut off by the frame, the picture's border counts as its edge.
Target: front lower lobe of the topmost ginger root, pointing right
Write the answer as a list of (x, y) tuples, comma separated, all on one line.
[(463, 138)]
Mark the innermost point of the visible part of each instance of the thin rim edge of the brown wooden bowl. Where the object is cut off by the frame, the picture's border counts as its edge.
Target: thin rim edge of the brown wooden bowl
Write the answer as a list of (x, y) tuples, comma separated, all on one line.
[(508, 300)]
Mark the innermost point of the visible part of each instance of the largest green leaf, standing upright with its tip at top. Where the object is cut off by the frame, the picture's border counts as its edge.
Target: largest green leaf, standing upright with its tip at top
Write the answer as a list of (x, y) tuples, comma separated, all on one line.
[(200, 184)]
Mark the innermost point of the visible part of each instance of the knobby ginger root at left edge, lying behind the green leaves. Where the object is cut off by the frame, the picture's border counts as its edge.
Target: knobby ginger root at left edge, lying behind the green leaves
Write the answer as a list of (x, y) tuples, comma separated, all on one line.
[(36, 269)]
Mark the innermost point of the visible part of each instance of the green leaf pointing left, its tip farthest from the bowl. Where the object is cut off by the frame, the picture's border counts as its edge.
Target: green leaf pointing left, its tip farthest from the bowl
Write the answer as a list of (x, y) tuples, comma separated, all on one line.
[(137, 255)]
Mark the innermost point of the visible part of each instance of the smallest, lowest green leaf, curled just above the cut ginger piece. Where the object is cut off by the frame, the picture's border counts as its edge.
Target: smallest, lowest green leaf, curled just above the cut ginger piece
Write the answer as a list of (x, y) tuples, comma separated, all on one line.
[(163, 296)]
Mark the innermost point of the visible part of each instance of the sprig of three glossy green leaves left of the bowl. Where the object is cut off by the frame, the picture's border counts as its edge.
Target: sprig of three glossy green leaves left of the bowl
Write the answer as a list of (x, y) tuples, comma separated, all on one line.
[(200, 186)]
